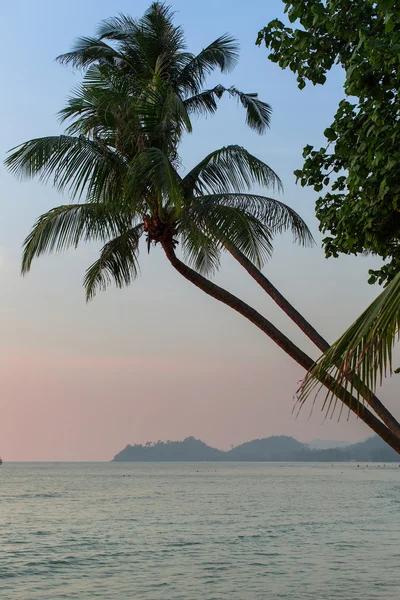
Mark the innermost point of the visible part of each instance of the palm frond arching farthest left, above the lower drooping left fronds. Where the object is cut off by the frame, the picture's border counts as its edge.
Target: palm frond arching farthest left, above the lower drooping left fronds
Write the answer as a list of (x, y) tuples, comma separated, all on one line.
[(76, 164)]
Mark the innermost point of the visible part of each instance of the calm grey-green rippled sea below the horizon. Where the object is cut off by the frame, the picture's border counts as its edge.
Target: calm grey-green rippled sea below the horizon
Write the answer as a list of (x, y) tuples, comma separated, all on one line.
[(199, 531)]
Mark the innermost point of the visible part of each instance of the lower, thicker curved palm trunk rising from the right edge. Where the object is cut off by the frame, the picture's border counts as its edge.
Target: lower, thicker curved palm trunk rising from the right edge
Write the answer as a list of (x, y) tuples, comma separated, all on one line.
[(282, 341)]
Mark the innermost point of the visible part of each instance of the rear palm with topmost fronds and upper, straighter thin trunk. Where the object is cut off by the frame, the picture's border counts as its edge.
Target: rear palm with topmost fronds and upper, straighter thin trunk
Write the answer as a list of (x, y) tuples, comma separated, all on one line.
[(154, 47)]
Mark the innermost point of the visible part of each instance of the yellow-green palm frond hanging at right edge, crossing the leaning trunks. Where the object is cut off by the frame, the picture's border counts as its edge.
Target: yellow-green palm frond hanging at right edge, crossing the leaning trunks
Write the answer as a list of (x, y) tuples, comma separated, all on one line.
[(365, 351)]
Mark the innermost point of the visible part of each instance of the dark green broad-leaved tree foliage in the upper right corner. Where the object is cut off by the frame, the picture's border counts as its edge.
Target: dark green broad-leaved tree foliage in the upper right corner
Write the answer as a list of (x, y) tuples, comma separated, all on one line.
[(358, 170)]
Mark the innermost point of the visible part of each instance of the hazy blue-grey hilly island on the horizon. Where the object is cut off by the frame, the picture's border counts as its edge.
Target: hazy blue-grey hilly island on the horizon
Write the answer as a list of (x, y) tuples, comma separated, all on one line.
[(275, 448)]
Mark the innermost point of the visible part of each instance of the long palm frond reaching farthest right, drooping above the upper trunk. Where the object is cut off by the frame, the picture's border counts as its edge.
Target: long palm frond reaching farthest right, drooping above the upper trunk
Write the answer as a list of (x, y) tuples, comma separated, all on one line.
[(277, 216)]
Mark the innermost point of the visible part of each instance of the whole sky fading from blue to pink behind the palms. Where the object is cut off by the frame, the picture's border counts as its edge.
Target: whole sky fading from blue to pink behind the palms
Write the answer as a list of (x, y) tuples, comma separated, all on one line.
[(159, 360)]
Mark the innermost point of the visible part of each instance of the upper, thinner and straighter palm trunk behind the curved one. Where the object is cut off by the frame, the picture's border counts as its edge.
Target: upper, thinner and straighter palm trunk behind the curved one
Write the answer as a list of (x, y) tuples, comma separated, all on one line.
[(312, 334)]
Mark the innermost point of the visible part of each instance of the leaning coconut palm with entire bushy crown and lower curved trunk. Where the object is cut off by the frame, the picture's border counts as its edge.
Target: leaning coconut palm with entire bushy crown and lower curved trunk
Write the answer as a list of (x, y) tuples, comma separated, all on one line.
[(121, 153)]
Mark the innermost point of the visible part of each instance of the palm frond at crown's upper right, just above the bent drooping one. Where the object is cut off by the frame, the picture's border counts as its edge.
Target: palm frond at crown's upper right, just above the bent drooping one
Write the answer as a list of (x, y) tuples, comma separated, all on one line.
[(223, 53)]
